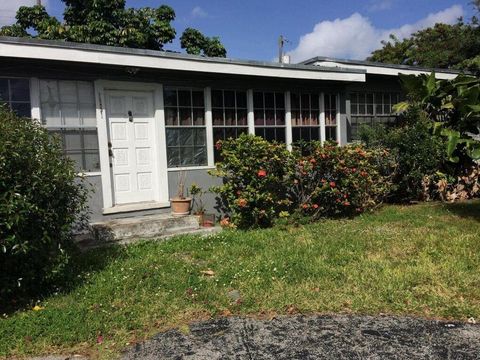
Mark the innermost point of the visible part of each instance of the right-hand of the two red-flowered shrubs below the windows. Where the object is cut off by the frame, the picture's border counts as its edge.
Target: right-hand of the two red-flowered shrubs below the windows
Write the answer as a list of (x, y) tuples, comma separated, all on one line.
[(340, 181)]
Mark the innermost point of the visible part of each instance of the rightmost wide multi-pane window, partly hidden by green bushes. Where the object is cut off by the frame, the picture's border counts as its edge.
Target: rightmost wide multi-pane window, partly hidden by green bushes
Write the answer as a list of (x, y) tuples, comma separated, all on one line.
[(371, 108)]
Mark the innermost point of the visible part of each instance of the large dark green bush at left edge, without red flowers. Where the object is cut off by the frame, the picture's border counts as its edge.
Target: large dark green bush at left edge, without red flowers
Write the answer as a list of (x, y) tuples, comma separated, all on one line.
[(40, 199)]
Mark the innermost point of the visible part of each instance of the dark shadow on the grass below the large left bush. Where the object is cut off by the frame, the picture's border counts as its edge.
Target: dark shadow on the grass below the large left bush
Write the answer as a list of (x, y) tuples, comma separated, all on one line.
[(73, 276)]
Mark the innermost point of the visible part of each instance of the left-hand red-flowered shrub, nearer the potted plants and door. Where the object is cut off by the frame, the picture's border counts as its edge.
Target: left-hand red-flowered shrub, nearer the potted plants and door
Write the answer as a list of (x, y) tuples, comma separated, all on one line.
[(255, 174)]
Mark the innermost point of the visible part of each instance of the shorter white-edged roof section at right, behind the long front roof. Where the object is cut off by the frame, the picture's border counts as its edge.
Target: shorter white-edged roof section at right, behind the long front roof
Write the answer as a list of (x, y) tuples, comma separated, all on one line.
[(380, 68)]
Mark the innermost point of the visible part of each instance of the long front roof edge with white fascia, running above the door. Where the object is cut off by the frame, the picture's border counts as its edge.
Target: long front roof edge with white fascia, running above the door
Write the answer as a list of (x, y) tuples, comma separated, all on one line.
[(36, 49)]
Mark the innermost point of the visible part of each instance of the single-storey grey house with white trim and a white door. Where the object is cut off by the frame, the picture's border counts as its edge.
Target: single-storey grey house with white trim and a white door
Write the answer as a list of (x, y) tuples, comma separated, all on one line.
[(132, 118)]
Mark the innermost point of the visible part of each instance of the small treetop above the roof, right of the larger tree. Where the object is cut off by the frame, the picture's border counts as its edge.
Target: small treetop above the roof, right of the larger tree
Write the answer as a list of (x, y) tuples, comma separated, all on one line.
[(195, 43)]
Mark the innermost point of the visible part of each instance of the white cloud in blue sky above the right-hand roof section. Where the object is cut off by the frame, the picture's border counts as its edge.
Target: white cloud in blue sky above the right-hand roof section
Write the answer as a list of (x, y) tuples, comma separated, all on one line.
[(356, 37)]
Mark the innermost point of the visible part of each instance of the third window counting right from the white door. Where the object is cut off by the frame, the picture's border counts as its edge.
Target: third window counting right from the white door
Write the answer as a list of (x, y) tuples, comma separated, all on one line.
[(269, 114)]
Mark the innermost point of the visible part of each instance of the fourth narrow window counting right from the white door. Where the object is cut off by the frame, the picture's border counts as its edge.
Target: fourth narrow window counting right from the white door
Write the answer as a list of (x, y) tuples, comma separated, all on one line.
[(305, 116)]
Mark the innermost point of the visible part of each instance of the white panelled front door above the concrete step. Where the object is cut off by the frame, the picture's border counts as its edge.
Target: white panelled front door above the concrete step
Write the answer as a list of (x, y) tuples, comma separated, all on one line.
[(132, 147)]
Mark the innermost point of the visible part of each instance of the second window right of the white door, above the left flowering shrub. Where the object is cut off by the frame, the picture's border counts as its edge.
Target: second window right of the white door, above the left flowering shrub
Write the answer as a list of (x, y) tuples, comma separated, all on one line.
[(229, 115)]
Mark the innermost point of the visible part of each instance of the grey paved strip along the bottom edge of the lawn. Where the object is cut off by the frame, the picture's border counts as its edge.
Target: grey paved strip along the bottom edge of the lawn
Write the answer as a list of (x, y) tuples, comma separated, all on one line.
[(315, 337)]
